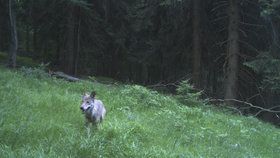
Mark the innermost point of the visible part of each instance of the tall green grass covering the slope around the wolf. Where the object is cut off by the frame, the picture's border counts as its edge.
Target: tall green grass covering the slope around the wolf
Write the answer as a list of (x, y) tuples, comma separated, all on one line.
[(41, 118)]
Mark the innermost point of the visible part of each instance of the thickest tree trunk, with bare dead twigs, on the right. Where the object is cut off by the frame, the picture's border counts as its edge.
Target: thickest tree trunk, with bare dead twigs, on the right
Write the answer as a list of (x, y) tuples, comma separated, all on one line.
[(231, 85)]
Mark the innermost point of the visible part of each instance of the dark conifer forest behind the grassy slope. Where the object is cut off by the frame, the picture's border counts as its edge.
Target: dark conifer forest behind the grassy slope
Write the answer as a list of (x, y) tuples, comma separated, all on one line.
[(229, 50)]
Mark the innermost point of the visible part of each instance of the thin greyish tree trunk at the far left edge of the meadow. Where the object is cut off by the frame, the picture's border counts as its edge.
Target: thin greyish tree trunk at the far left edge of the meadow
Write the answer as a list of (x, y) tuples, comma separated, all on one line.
[(13, 36)]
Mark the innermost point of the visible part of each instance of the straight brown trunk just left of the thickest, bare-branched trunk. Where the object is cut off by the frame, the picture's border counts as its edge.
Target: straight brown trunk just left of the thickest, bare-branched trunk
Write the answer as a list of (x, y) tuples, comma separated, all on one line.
[(196, 37)]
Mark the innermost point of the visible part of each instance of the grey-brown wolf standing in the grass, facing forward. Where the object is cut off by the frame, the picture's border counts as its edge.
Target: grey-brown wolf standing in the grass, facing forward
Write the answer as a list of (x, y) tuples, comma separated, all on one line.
[(93, 109)]
